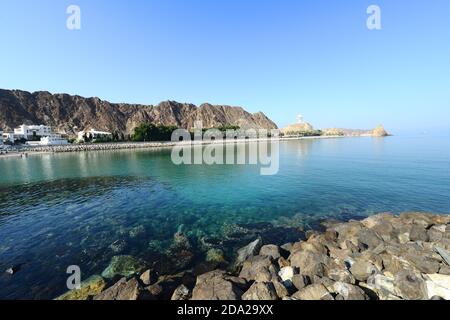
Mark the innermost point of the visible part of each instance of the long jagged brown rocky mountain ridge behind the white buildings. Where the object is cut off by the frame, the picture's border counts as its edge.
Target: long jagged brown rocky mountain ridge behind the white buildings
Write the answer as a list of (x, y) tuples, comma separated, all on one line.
[(68, 114)]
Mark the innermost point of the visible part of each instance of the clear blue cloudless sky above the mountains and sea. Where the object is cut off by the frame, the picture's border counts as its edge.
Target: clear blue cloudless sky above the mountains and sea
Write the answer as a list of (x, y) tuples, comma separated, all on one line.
[(288, 57)]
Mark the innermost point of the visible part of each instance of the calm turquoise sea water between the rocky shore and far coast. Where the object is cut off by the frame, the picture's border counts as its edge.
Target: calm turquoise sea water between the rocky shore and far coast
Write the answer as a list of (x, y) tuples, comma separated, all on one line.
[(67, 209)]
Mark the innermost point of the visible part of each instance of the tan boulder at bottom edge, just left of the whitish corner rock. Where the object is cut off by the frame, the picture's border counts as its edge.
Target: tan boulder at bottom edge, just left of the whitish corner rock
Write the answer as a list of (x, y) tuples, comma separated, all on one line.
[(410, 286)]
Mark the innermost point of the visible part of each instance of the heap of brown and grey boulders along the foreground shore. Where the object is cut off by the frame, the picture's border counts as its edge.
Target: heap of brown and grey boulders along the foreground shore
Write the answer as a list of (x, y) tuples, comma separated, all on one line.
[(383, 257)]
